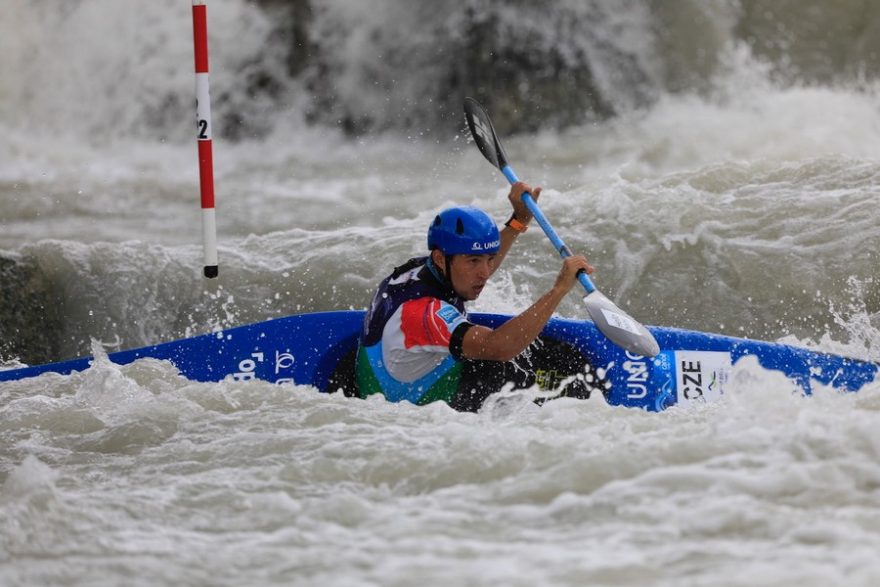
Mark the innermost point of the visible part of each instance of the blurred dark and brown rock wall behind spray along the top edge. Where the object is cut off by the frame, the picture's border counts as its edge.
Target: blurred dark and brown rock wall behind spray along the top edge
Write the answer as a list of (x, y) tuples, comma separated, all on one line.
[(406, 66)]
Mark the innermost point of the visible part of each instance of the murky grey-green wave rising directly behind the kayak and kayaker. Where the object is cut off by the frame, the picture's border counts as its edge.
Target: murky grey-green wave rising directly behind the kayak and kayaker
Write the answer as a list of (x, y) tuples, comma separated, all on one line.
[(757, 250)]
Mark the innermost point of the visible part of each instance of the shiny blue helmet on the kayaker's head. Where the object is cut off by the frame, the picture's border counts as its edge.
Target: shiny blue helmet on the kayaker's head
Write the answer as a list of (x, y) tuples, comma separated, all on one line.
[(464, 230)]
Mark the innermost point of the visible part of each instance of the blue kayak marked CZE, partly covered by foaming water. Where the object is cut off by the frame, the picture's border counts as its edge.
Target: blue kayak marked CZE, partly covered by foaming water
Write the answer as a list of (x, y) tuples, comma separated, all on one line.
[(307, 349)]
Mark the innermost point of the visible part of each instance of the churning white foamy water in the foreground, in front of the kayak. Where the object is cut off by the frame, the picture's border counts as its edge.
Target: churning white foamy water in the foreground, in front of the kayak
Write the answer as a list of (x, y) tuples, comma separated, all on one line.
[(132, 474)]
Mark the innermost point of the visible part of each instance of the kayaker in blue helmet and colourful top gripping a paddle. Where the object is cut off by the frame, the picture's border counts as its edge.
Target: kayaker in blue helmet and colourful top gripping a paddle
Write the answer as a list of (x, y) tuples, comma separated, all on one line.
[(417, 343)]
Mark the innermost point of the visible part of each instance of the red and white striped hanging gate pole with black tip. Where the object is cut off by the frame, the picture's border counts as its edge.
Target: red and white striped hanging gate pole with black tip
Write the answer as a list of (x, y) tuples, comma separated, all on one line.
[(206, 156)]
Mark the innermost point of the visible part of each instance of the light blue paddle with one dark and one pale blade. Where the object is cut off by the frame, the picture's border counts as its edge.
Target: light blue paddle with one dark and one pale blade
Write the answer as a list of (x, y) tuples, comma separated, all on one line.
[(613, 322)]
